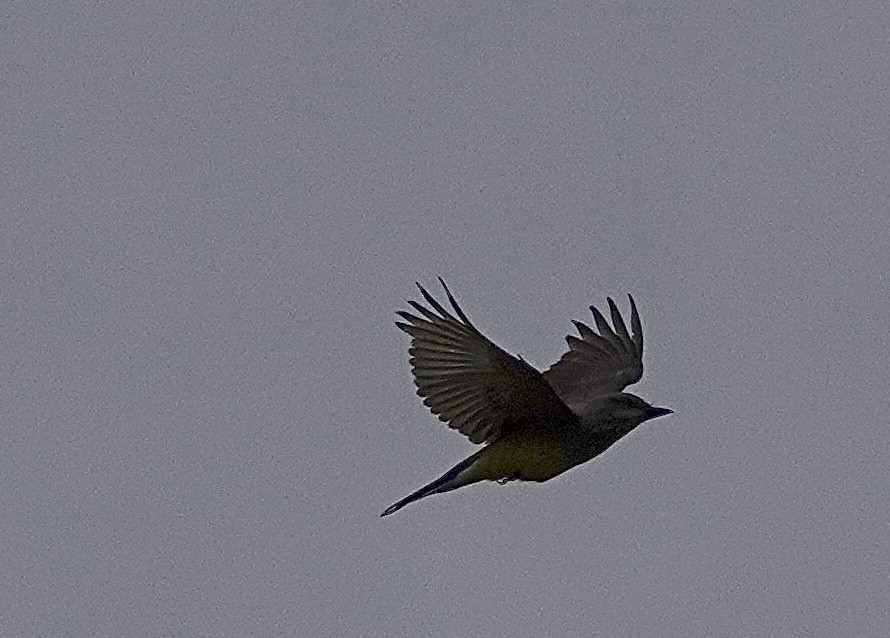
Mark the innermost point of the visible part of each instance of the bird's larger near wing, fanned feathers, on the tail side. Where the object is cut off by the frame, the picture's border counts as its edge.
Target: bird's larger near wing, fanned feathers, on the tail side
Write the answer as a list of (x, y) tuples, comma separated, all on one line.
[(468, 381)]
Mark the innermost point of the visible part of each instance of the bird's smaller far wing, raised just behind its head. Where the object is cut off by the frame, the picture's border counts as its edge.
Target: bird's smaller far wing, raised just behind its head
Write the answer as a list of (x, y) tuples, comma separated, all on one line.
[(598, 364)]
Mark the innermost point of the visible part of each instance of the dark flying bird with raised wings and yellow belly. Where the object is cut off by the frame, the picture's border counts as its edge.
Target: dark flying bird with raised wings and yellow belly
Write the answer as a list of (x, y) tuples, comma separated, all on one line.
[(534, 425)]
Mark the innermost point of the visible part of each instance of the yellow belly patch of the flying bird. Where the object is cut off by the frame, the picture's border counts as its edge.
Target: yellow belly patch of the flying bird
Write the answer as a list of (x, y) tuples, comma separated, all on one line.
[(524, 458)]
